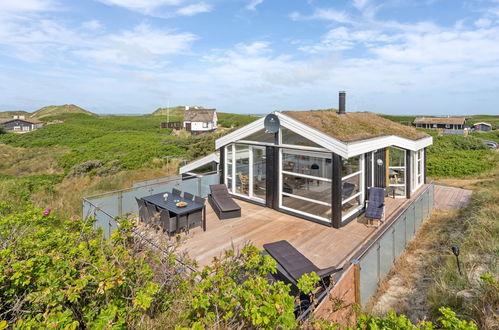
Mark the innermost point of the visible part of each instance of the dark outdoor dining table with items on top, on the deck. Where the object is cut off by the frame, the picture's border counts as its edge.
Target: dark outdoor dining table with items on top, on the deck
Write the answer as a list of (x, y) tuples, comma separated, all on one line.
[(170, 205)]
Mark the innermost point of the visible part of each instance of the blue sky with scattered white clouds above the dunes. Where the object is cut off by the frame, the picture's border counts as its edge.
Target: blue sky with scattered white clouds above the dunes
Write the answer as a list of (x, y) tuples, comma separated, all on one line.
[(251, 56)]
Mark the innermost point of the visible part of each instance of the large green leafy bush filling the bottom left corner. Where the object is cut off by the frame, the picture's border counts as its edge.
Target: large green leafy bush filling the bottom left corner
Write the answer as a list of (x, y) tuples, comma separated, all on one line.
[(61, 273)]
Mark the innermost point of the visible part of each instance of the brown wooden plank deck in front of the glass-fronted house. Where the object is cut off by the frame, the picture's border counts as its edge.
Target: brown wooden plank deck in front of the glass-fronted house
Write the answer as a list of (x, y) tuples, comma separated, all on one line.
[(258, 225)]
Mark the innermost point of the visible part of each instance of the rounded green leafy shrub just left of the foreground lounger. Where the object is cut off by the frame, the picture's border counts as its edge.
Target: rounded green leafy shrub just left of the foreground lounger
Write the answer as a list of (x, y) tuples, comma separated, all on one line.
[(234, 292)]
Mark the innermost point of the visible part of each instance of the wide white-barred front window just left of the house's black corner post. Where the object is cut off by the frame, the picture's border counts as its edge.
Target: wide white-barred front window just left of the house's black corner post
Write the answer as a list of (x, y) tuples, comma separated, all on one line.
[(306, 183)]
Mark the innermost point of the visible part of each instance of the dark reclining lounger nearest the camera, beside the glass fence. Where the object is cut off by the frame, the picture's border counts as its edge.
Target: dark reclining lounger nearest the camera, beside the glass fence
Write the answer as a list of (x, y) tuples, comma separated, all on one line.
[(291, 264)]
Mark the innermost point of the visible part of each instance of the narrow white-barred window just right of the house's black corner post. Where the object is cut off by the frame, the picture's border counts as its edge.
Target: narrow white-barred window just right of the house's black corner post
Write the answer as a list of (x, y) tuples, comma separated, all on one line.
[(352, 190)]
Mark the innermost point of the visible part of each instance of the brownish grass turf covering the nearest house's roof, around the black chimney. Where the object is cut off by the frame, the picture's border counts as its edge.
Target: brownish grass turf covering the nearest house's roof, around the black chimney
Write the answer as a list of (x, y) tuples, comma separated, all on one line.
[(353, 126)]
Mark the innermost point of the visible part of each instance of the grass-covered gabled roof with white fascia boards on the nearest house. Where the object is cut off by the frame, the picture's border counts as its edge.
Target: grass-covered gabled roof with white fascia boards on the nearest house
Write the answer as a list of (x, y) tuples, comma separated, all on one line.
[(326, 135)]
